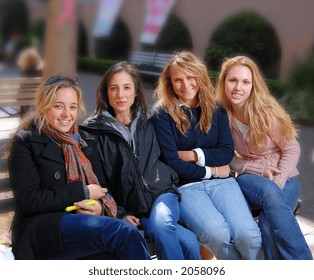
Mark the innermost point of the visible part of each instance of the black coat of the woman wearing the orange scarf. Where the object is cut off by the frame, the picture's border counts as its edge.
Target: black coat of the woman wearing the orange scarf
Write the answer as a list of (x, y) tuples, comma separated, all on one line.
[(38, 178)]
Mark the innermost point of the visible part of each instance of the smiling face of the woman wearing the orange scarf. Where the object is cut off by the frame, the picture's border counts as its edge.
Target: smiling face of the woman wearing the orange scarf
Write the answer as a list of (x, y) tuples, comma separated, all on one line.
[(63, 113)]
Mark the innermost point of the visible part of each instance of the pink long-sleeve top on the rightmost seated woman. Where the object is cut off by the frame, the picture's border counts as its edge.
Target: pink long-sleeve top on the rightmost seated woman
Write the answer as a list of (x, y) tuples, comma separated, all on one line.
[(282, 154)]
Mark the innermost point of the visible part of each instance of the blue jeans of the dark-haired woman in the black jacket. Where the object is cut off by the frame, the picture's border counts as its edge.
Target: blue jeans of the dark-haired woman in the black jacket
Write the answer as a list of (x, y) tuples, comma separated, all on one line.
[(172, 241)]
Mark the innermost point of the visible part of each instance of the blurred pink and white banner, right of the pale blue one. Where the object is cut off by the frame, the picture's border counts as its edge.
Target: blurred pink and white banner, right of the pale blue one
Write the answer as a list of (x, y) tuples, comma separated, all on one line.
[(157, 12)]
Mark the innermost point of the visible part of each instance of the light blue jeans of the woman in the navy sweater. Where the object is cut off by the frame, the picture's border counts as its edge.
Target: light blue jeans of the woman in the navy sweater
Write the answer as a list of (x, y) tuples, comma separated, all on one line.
[(218, 213)]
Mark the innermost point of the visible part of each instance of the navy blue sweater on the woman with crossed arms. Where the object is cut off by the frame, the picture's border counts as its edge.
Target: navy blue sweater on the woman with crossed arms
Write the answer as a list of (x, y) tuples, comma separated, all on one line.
[(217, 145)]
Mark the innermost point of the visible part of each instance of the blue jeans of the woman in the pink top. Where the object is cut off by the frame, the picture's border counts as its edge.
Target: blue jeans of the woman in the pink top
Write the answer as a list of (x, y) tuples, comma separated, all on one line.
[(281, 234)]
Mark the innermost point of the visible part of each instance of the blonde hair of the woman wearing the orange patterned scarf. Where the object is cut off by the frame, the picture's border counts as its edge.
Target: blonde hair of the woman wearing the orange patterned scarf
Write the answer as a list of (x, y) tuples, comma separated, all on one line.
[(45, 97)]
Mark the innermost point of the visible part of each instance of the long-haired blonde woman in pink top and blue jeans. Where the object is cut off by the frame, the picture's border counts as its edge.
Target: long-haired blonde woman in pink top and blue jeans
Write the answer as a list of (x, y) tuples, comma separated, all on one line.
[(266, 156)]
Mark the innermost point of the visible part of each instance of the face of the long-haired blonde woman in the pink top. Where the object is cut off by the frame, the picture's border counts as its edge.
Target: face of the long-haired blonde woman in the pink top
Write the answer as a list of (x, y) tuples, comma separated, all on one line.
[(238, 85)]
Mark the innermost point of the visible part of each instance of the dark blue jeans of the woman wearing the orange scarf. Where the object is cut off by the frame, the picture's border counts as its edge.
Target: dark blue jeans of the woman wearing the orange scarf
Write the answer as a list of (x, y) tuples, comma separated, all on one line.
[(100, 237)]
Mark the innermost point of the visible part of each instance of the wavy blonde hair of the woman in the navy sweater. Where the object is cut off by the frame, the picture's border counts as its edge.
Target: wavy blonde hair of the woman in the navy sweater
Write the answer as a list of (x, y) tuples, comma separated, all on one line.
[(167, 99)]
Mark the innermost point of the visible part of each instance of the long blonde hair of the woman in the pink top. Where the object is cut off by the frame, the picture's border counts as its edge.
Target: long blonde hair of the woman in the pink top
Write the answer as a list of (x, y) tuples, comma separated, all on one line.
[(260, 108)]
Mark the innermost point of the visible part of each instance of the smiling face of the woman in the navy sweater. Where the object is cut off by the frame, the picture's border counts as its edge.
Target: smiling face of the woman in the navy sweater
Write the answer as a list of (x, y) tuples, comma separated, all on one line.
[(185, 86)]
